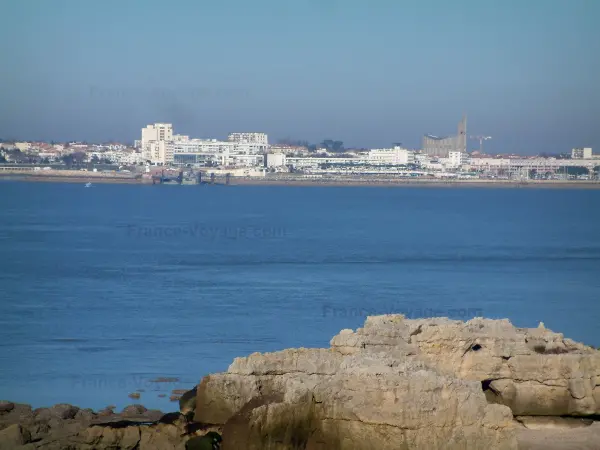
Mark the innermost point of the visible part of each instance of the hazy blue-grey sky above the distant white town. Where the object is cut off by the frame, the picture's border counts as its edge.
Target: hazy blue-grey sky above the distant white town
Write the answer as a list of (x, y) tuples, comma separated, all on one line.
[(369, 73)]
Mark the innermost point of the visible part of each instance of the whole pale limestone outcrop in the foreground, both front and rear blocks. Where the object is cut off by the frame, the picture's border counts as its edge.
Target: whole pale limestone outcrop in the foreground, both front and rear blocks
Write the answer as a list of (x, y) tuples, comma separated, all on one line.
[(402, 384)]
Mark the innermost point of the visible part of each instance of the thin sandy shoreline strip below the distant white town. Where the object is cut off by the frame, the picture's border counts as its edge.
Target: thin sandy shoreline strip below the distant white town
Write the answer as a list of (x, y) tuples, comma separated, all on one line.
[(331, 182)]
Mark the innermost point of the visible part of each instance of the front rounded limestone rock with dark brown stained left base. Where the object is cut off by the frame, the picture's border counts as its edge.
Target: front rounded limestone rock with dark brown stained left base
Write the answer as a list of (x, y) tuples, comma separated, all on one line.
[(324, 399)]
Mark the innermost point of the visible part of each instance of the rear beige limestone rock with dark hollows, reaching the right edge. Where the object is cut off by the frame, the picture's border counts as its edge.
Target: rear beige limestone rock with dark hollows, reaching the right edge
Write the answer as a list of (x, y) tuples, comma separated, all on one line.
[(534, 371)]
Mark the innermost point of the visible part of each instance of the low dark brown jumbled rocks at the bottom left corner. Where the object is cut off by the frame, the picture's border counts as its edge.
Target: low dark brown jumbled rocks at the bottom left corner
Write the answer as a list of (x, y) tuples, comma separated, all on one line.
[(68, 427)]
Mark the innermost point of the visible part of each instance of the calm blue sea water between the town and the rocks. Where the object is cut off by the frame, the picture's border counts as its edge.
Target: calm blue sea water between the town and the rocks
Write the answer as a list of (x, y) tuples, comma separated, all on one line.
[(102, 290)]
